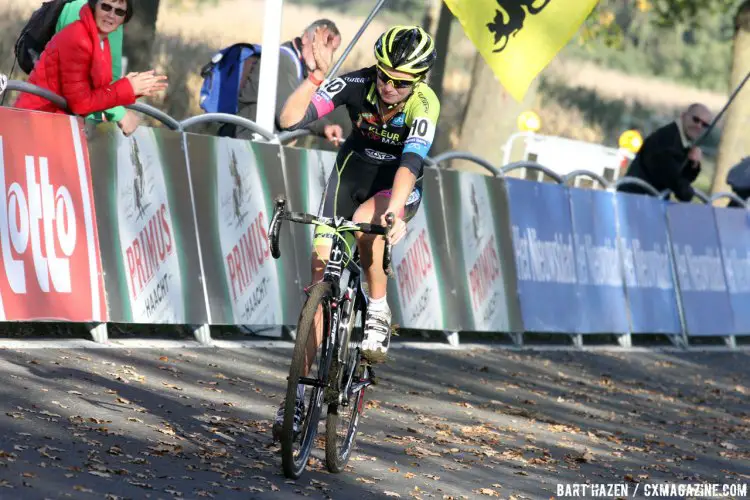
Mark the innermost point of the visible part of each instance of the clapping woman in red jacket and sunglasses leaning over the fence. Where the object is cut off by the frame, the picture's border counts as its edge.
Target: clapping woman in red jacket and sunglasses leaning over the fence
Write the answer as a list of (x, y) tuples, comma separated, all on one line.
[(76, 64)]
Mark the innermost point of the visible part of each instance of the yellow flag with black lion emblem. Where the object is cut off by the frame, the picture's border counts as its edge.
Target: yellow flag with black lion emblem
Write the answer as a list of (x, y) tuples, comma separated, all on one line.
[(519, 38)]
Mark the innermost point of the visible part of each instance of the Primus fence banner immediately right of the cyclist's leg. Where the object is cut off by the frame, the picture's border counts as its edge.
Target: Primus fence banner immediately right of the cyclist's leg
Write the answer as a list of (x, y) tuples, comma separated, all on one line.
[(423, 289)]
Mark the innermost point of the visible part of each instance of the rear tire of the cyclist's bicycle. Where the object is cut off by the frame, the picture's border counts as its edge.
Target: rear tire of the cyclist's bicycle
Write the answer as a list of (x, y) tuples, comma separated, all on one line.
[(338, 456)]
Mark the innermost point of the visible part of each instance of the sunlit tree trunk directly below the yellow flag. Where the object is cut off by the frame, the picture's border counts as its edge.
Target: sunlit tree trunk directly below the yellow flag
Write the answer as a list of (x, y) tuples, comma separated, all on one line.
[(489, 118)]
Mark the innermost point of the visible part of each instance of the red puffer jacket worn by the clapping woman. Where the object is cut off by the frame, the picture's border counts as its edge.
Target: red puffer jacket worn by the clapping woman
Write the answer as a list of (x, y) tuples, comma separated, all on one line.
[(76, 66)]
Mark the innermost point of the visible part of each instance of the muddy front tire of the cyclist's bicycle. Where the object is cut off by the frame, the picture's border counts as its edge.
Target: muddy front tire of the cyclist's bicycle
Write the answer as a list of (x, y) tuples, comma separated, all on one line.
[(319, 294)]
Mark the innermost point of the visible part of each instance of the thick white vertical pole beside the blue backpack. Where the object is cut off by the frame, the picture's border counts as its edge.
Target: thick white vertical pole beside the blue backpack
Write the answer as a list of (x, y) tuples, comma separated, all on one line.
[(269, 66)]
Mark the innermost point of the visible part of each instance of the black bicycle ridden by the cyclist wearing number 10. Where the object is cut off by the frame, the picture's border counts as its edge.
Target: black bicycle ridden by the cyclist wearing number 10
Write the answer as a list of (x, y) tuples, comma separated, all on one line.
[(342, 374)]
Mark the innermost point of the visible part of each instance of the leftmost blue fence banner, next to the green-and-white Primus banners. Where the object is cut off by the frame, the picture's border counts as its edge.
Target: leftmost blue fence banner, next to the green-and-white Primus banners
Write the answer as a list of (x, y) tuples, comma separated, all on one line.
[(545, 259)]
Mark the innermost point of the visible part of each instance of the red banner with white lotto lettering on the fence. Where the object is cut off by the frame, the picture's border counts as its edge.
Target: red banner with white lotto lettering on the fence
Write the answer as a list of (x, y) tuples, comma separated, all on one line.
[(51, 268)]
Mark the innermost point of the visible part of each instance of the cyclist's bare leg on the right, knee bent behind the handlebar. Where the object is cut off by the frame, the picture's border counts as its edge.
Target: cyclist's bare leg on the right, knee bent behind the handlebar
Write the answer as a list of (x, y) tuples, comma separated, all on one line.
[(371, 247)]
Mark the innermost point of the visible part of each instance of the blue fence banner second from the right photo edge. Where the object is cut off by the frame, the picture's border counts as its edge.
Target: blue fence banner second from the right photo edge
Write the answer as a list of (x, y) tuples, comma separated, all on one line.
[(700, 272)]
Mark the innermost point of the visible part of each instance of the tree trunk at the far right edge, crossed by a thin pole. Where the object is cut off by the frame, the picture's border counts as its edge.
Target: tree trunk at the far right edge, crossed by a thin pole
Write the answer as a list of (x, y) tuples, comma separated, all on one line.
[(735, 141)]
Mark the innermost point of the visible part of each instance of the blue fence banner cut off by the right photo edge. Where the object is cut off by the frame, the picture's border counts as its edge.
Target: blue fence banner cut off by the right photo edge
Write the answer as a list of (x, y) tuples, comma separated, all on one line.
[(733, 225)]
